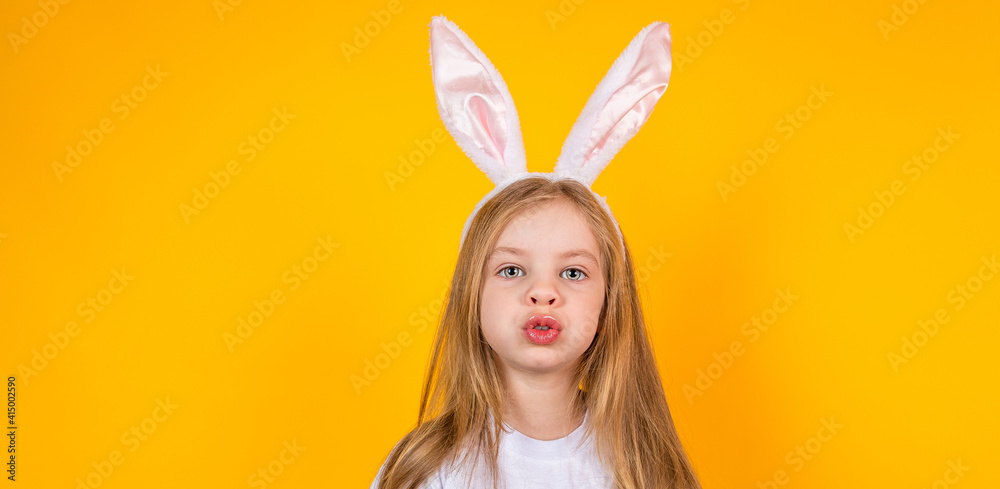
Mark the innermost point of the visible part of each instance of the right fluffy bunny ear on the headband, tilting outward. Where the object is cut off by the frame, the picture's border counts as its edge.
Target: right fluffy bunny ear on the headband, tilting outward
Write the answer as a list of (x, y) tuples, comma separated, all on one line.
[(620, 105)]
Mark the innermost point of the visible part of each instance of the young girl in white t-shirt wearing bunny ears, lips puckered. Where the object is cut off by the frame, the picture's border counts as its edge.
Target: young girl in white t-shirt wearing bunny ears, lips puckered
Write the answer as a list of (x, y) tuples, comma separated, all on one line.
[(542, 373)]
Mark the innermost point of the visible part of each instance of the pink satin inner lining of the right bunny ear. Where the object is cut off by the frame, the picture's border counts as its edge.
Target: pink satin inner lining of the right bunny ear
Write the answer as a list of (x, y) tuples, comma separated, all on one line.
[(630, 106)]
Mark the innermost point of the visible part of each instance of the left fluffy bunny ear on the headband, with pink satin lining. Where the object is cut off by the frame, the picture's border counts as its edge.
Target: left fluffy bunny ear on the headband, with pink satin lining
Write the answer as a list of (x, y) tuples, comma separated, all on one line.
[(474, 103)]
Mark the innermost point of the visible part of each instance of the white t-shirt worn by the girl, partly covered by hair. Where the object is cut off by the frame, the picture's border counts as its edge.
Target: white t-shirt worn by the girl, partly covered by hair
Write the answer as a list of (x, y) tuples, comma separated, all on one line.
[(524, 462)]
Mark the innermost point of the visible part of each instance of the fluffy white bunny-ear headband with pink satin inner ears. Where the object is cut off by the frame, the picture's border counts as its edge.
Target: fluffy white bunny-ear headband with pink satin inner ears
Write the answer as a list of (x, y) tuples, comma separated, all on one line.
[(478, 111)]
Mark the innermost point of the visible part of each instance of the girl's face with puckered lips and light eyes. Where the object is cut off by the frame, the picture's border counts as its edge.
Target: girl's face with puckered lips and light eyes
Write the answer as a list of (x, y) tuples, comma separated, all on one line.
[(544, 290)]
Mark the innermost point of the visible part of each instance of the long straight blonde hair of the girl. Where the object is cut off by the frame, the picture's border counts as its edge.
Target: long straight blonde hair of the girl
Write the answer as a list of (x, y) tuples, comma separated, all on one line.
[(462, 401)]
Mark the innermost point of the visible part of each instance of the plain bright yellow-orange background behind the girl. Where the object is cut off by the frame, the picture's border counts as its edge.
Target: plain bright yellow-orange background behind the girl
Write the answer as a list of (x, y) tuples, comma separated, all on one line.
[(290, 381)]
